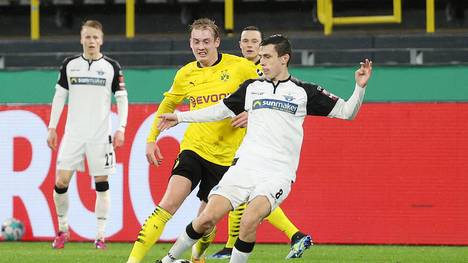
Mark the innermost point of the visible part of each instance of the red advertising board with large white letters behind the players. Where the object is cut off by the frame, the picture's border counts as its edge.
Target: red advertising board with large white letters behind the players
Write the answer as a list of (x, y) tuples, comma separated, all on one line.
[(394, 175)]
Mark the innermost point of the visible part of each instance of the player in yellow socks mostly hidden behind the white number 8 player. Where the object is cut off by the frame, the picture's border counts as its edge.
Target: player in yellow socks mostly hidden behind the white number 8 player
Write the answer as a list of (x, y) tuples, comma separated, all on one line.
[(249, 43)]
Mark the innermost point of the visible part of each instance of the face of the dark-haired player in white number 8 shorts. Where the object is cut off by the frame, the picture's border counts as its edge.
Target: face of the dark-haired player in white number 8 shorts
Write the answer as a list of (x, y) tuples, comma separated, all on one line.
[(273, 65)]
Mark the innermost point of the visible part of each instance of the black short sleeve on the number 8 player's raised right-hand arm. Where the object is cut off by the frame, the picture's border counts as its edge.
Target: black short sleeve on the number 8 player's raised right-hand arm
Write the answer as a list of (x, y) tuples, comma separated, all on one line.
[(320, 102)]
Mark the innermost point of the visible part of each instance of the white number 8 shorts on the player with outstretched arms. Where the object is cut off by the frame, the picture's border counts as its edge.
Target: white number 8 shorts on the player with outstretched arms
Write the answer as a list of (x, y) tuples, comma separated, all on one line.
[(238, 190)]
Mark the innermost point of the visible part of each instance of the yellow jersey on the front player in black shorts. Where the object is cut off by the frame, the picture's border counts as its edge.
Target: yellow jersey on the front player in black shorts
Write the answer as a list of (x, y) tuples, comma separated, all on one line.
[(218, 141)]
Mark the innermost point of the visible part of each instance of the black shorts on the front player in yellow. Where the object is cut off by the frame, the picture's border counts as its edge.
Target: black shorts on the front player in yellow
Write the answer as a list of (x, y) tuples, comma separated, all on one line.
[(198, 170)]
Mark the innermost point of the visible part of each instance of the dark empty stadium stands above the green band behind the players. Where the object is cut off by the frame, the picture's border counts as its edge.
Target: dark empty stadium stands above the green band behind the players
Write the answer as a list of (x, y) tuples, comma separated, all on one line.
[(161, 39)]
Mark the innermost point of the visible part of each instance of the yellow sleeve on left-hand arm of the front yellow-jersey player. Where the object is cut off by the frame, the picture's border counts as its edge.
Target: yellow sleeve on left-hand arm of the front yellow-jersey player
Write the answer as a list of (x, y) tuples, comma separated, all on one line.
[(172, 99)]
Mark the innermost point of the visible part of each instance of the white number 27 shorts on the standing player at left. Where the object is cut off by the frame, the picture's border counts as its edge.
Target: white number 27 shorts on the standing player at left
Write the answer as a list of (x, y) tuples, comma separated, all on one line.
[(100, 157)]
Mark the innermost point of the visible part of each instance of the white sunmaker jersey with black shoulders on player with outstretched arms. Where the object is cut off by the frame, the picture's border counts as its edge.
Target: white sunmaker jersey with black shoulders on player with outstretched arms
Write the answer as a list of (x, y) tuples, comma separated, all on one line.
[(274, 136)]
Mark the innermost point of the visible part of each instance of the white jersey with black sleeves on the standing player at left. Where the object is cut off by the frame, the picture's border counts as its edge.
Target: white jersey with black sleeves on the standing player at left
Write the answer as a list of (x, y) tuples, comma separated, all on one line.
[(90, 85)]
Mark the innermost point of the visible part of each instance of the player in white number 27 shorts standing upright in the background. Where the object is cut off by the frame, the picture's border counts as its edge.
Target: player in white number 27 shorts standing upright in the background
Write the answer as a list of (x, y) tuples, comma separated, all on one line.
[(88, 80)]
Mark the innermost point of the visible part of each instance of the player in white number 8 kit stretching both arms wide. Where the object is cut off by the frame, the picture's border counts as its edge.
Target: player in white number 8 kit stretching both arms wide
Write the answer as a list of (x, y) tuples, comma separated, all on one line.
[(266, 162)]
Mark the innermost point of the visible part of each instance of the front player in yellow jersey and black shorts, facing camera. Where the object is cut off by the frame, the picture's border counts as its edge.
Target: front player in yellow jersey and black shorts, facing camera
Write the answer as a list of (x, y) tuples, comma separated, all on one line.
[(207, 149)]
